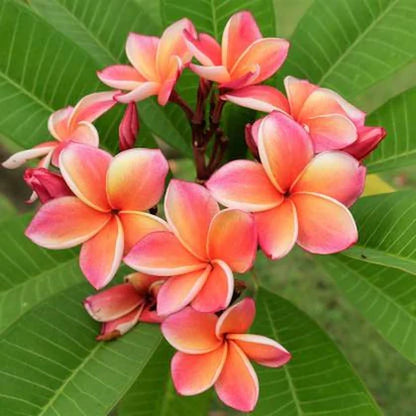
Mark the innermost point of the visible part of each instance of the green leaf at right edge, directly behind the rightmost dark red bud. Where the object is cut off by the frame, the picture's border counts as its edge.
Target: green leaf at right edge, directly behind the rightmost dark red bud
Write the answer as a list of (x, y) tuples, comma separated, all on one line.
[(398, 149)]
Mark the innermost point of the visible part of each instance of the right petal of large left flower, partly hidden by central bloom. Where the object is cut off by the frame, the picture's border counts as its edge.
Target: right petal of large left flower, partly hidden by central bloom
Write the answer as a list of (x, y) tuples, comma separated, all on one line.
[(137, 225)]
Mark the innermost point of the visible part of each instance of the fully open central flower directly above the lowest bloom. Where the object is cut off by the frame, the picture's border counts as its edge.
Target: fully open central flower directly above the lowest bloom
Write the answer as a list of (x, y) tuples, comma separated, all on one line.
[(200, 250)]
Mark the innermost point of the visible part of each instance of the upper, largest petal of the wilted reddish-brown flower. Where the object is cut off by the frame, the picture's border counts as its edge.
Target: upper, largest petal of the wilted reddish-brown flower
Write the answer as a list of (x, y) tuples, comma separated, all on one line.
[(113, 303)]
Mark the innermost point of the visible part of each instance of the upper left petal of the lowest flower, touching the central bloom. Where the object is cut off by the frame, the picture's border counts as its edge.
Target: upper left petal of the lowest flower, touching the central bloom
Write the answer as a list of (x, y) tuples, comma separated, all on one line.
[(191, 332)]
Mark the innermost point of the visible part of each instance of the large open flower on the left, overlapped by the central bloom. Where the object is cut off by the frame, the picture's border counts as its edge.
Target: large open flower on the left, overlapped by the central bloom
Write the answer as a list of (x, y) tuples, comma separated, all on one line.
[(106, 215)]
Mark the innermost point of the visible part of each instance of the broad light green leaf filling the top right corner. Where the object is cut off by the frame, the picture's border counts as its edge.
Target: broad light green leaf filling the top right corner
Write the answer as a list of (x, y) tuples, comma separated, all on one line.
[(350, 45)]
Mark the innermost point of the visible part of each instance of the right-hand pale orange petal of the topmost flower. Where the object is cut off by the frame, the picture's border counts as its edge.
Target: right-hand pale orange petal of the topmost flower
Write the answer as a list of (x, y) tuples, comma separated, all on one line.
[(268, 53)]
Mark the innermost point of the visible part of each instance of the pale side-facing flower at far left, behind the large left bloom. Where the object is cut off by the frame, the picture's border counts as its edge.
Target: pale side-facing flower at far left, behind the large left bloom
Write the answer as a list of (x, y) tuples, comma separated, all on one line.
[(70, 124)]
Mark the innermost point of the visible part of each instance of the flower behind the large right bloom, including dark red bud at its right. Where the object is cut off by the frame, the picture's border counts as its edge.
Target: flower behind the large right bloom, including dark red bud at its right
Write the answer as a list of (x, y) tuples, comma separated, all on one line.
[(332, 122)]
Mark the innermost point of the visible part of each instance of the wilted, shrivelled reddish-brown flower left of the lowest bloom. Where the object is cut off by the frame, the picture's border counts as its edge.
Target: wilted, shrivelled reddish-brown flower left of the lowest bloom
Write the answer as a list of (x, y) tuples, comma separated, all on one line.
[(121, 307)]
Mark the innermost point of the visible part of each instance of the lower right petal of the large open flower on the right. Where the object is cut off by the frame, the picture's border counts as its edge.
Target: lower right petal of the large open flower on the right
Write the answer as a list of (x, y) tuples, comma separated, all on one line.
[(325, 225)]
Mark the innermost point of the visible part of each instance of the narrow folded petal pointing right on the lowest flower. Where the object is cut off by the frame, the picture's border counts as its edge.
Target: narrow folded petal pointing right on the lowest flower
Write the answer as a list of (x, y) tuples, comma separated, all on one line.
[(262, 350)]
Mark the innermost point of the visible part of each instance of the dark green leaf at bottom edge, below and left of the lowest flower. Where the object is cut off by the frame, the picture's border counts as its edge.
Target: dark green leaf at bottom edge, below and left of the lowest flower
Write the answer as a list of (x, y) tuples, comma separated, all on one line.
[(153, 392)]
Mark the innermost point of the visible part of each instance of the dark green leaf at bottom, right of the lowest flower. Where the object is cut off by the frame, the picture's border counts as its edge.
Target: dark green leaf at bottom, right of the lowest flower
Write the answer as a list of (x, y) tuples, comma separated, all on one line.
[(318, 380)]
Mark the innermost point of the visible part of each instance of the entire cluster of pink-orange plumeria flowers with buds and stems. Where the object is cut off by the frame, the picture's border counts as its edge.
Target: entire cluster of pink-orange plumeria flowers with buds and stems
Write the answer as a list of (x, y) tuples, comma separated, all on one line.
[(306, 171)]
